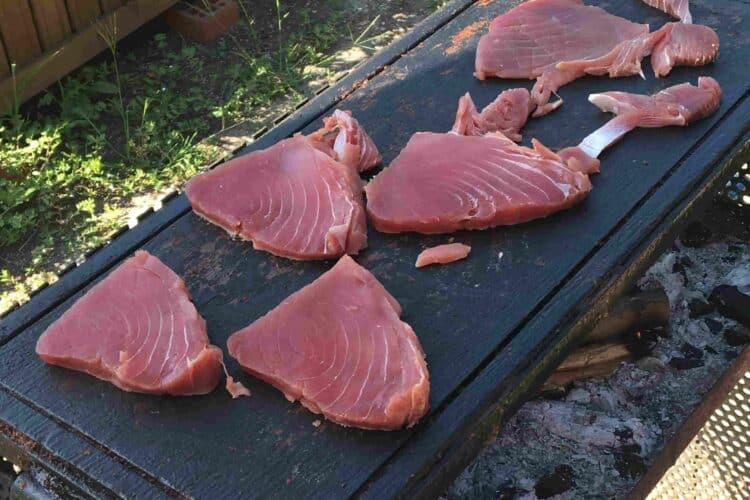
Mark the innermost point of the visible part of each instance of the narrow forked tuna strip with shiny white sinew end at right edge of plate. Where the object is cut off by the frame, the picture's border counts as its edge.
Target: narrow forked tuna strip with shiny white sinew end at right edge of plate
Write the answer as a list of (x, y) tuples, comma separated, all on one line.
[(678, 105)]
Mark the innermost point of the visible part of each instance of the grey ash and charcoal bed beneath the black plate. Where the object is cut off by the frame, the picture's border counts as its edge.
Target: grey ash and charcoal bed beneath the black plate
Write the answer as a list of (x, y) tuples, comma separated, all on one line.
[(599, 439)]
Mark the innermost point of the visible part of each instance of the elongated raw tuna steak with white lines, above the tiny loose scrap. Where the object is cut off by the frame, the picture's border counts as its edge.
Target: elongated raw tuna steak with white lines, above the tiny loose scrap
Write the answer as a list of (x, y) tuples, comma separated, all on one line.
[(442, 183)]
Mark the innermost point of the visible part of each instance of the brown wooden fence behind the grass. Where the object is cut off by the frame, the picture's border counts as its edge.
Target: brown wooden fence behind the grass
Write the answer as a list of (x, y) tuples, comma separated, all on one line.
[(46, 39)]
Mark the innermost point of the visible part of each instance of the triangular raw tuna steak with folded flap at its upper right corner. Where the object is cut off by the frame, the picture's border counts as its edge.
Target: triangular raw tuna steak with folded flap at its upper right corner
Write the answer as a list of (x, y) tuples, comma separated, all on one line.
[(300, 198)]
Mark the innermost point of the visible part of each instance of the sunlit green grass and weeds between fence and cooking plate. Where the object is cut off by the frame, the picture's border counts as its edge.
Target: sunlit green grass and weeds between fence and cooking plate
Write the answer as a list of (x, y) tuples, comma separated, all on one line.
[(71, 166)]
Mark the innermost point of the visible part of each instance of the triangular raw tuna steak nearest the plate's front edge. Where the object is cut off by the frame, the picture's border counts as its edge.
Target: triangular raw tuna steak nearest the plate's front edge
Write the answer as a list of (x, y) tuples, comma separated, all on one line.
[(339, 347)]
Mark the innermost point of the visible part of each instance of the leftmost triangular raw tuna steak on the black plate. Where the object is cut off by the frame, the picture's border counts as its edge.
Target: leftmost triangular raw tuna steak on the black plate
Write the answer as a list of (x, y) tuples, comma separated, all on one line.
[(138, 330)]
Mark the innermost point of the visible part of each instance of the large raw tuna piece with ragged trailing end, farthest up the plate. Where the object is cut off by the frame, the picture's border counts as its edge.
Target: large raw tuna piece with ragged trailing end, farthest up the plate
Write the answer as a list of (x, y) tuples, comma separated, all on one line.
[(558, 41)]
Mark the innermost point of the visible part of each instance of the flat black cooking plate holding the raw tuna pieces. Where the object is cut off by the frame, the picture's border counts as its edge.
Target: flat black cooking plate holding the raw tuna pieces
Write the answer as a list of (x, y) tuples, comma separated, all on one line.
[(491, 327)]
